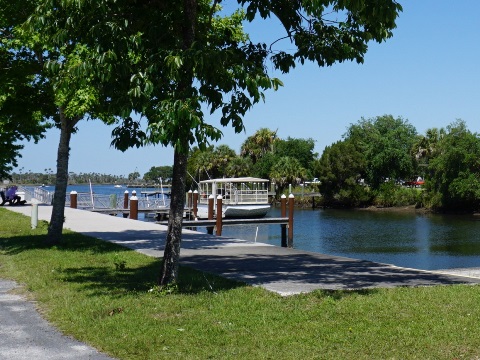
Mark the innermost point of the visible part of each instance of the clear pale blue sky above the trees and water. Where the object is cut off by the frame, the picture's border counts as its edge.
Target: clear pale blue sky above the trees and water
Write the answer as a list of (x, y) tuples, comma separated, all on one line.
[(428, 74)]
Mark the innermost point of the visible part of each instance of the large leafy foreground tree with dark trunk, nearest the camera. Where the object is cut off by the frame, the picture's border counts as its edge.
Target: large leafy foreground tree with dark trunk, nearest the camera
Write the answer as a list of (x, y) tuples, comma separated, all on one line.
[(174, 57)]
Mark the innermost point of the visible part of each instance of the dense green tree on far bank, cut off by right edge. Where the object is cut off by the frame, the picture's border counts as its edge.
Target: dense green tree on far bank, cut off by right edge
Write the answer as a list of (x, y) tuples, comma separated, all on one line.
[(454, 181)]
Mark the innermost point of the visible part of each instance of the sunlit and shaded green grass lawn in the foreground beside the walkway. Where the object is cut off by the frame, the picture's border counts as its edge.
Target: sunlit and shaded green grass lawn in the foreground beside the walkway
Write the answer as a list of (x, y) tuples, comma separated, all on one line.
[(105, 295)]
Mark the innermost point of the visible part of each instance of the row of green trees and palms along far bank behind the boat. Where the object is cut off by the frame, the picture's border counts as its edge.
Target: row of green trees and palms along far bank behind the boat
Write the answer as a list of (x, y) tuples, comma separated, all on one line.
[(370, 166)]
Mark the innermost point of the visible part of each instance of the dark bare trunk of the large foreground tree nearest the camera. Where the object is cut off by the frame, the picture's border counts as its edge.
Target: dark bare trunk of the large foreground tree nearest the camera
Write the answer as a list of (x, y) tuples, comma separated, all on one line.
[(171, 256)]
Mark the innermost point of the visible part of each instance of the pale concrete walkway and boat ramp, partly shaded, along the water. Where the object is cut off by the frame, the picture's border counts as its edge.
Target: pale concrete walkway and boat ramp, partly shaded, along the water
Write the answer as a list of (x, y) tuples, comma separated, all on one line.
[(282, 270)]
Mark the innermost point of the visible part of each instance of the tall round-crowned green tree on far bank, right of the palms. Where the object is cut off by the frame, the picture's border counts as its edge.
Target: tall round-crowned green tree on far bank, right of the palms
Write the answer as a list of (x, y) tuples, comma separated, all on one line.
[(386, 143)]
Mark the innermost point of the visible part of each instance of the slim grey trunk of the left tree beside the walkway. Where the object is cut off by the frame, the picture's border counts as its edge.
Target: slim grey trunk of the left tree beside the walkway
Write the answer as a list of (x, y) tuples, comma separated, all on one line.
[(58, 211)]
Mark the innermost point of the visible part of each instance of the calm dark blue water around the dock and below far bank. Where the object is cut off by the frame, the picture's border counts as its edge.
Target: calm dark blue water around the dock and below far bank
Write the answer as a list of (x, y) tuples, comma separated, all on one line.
[(405, 239)]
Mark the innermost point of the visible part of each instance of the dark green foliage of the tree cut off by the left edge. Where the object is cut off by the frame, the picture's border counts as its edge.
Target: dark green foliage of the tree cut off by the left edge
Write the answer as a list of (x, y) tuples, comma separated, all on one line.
[(24, 94)]
